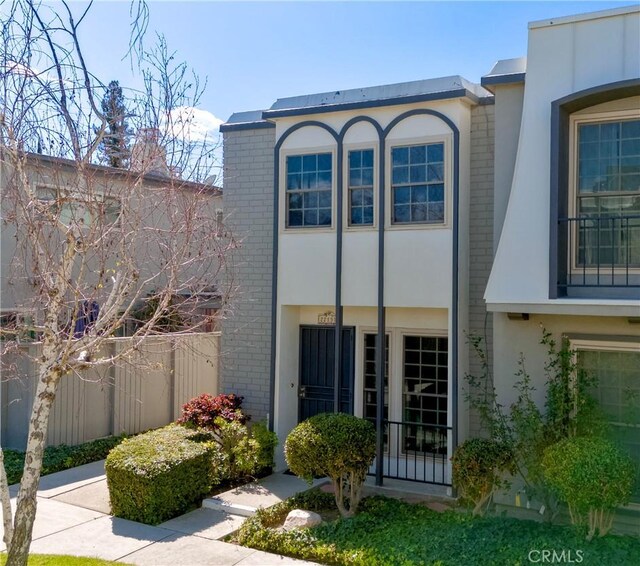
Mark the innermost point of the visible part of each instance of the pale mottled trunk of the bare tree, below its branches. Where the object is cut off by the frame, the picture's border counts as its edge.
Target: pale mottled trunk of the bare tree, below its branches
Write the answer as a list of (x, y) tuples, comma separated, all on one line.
[(27, 501)]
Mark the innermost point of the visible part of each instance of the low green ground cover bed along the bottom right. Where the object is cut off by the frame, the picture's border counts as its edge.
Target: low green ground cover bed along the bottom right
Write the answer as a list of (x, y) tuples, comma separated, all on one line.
[(388, 532)]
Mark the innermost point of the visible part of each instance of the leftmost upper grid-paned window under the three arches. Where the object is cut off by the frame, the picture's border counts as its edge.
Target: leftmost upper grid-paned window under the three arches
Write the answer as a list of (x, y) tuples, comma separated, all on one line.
[(308, 184)]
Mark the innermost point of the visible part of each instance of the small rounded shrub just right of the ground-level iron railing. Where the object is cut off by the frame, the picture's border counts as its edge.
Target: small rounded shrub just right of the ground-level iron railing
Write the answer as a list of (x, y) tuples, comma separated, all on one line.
[(478, 464)]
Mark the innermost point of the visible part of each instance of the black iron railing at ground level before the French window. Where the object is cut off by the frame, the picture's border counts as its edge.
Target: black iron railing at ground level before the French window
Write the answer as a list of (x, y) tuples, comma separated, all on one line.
[(416, 452)]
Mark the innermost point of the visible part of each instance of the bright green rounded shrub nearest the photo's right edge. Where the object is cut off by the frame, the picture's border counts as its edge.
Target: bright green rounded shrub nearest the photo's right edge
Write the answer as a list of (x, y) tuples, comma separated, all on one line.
[(592, 476)]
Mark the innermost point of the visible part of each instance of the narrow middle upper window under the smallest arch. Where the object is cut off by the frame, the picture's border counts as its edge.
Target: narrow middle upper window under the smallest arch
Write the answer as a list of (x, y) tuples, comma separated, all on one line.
[(361, 187)]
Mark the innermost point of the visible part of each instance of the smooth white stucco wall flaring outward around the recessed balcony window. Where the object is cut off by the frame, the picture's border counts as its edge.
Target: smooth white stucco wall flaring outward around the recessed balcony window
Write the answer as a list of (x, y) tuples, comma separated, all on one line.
[(562, 59)]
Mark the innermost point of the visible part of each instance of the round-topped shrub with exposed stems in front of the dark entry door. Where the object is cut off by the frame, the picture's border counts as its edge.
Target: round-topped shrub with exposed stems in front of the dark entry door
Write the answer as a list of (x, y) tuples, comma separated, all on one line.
[(339, 446)]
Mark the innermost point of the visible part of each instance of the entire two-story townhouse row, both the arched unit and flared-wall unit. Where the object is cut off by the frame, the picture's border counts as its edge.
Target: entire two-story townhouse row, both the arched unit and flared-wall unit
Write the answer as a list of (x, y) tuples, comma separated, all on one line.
[(378, 211)]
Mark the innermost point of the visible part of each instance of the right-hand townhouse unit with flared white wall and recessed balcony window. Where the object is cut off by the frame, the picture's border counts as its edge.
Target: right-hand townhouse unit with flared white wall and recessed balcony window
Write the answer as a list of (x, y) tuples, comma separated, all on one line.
[(568, 208)]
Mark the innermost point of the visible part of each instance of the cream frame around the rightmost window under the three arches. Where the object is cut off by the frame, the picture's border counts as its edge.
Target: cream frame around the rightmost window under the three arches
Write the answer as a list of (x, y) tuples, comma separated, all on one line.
[(446, 140)]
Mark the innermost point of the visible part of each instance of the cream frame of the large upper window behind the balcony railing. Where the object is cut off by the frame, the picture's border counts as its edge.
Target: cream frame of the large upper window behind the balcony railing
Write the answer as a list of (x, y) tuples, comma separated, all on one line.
[(575, 121)]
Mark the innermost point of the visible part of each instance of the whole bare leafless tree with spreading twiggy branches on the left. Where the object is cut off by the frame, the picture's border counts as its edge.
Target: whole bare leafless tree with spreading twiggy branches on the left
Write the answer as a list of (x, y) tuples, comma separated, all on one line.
[(89, 245)]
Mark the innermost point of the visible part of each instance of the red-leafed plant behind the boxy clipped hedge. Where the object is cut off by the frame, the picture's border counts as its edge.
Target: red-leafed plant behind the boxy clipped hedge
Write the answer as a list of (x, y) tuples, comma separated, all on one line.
[(202, 411)]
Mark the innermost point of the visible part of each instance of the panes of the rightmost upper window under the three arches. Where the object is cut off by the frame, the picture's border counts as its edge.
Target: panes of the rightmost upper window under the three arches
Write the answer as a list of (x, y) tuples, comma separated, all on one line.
[(417, 184)]
